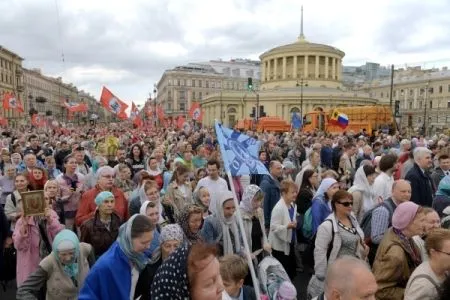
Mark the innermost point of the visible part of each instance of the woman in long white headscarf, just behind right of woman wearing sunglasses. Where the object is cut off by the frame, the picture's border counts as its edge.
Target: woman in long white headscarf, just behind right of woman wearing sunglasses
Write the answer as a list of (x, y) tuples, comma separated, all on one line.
[(362, 190)]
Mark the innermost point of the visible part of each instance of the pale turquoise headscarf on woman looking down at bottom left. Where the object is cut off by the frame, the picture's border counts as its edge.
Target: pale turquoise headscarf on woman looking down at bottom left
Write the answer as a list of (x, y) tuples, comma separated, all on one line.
[(67, 240)]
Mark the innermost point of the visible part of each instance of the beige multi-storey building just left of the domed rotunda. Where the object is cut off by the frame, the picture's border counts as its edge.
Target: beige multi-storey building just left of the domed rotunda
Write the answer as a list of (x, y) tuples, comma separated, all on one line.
[(181, 86)]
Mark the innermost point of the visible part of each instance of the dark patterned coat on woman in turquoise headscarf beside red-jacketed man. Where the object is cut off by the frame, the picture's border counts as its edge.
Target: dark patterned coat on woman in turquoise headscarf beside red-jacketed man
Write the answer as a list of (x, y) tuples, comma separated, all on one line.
[(94, 232)]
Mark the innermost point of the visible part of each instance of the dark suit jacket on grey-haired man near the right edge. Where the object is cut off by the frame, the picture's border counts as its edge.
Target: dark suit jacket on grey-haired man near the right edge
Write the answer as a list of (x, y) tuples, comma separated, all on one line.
[(422, 187)]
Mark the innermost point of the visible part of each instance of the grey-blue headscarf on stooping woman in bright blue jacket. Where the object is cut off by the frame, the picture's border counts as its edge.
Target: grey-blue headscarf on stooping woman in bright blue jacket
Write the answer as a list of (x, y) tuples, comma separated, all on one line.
[(126, 245)]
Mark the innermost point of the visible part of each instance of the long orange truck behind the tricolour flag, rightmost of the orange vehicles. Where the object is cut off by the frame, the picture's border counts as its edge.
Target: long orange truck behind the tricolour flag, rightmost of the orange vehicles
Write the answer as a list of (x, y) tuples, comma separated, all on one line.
[(359, 117)]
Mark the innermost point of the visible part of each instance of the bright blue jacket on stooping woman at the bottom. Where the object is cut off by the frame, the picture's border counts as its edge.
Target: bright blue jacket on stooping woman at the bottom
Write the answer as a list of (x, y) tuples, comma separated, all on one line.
[(110, 277)]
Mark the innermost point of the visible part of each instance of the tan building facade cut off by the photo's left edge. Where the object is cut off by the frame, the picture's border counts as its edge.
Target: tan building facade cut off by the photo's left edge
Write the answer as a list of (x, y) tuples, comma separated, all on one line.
[(11, 82)]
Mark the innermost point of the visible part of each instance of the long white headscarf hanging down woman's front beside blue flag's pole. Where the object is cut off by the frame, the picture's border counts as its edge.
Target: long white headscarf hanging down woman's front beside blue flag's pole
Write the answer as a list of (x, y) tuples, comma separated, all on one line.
[(227, 225)]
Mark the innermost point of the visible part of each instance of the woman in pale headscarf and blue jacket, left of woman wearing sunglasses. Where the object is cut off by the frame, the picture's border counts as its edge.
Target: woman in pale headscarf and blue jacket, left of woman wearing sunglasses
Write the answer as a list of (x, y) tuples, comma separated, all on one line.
[(321, 204)]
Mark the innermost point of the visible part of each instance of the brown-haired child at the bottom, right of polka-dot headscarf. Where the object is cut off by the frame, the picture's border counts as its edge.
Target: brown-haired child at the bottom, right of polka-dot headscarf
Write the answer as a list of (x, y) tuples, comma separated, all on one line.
[(233, 270)]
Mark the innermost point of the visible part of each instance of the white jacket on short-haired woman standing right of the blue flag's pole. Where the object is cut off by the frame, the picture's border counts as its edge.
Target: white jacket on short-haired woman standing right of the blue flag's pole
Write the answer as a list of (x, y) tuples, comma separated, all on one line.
[(280, 236)]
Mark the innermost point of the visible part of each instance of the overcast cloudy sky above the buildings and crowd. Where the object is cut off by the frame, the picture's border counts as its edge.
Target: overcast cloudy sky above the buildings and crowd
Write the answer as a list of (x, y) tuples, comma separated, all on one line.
[(127, 45)]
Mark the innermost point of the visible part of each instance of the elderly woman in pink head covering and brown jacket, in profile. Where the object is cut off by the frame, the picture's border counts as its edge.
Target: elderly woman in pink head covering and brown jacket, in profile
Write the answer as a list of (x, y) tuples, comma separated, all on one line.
[(397, 256)]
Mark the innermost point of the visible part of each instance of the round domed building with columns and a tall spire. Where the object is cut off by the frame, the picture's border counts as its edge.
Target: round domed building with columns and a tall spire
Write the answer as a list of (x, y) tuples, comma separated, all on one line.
[(297, 77)]
